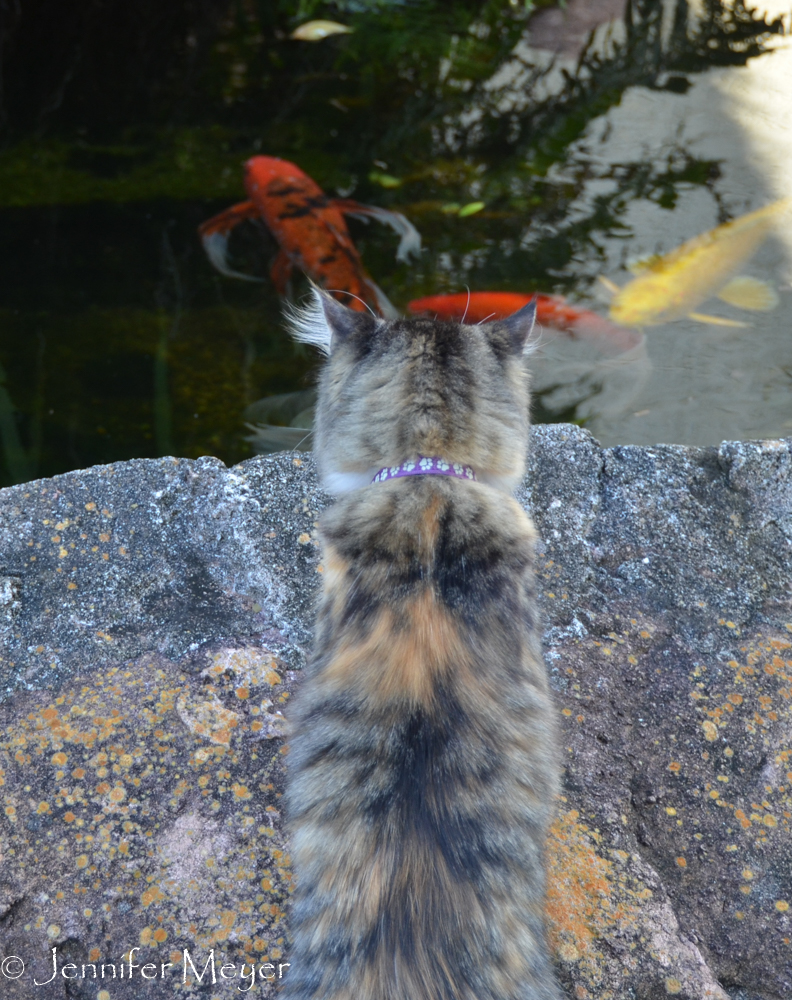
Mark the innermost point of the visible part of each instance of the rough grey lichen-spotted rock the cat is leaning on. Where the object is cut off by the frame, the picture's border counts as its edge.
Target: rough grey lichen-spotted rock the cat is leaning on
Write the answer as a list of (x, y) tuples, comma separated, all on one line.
[(155, 617)]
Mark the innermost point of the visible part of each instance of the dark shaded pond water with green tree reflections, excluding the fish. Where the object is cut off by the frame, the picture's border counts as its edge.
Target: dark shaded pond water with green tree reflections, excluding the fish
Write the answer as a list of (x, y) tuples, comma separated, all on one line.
[(124, 127)]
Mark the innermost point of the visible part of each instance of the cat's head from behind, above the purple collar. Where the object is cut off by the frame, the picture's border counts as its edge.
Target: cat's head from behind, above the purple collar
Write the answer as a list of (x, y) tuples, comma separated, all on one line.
[(394, 389)]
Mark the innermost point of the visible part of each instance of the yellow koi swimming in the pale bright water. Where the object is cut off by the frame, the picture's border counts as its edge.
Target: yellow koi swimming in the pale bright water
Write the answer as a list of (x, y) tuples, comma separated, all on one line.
[(672, 286)]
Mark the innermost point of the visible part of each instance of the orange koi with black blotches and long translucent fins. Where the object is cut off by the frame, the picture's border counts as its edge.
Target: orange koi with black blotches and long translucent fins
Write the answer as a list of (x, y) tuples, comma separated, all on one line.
[(311, 232)]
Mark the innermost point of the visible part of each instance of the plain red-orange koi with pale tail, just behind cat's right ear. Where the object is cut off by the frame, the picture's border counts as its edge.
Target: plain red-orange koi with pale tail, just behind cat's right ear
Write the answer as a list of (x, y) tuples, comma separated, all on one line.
[(551, 310)]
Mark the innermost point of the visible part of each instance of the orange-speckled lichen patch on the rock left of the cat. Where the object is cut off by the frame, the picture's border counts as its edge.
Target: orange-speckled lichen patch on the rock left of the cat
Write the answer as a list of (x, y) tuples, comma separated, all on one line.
[(159, 778)]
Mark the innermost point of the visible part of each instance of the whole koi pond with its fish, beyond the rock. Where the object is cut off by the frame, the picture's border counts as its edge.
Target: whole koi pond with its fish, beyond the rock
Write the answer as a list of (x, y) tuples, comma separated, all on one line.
[(627, 160)]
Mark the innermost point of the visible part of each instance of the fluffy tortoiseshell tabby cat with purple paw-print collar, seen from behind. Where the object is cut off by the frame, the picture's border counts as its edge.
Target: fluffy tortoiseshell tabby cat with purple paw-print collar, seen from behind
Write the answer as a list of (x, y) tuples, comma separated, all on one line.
[(422, 762)]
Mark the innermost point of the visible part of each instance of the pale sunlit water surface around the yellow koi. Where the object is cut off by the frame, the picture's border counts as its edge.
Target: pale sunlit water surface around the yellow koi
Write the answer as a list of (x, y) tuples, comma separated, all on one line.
[(703, 383)]
